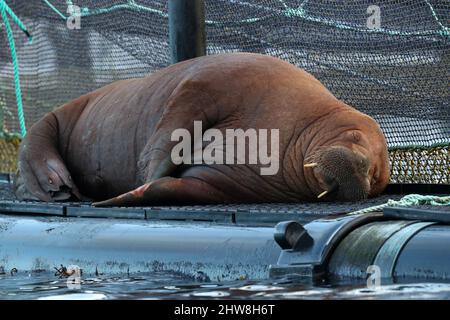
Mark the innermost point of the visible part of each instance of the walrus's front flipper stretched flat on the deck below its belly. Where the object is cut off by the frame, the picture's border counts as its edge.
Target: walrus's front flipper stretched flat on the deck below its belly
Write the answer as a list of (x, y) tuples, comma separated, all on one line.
[(168, 190)]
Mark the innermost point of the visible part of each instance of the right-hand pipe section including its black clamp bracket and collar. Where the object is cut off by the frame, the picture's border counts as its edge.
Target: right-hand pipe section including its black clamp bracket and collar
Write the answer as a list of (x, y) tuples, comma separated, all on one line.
[(347, 247)]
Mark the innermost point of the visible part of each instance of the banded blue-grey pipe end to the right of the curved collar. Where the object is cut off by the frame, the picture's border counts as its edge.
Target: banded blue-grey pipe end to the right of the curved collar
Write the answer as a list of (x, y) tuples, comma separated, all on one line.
[(404, 251)]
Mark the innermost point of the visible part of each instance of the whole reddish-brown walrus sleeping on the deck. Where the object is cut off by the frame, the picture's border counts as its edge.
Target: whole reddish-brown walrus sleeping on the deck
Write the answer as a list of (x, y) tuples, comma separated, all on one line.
[(117, 138)]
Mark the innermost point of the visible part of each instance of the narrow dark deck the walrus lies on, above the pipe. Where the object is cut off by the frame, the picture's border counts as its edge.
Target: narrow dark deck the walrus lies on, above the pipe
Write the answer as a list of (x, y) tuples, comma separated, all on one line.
[(242, 214)]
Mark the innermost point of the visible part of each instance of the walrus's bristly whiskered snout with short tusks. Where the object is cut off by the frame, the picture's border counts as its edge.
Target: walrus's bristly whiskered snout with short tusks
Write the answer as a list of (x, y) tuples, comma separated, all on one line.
[(341, 173)]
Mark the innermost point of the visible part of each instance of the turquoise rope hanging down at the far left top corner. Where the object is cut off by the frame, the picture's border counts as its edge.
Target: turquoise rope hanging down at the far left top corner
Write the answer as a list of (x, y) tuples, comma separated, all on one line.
[(5, 10)]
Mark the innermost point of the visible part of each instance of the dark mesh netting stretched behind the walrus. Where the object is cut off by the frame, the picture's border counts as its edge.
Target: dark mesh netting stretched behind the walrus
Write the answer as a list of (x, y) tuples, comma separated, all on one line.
[(398, 73)]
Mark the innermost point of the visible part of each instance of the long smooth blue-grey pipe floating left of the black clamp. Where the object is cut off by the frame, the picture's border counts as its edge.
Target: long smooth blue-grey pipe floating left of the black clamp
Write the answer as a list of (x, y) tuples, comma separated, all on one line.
[(120, 246)]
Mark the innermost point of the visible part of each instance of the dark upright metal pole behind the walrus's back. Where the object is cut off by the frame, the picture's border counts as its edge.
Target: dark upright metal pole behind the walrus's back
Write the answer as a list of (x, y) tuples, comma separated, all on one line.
[(186, 29)]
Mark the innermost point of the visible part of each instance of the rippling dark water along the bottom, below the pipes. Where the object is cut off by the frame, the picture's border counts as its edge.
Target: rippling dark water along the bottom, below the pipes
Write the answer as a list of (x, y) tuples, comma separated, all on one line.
[(166, 285)]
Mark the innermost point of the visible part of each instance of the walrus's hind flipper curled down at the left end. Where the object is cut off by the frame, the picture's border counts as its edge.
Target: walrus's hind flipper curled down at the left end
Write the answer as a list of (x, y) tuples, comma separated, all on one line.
[(42, 174)]
